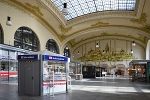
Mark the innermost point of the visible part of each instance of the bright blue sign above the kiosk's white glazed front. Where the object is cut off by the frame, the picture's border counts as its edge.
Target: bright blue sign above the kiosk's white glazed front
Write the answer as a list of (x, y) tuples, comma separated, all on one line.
[(55, 58)]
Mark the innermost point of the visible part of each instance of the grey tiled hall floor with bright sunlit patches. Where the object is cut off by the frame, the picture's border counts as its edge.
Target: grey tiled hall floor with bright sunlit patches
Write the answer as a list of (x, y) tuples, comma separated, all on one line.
[(105, 88)]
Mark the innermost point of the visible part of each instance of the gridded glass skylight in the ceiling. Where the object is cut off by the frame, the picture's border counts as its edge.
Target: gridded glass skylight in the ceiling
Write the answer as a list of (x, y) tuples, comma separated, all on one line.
[(78, 8)]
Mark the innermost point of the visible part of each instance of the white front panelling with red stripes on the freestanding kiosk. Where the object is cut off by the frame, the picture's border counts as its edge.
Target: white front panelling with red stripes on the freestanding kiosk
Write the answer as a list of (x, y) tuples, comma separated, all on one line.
[(58, 80)]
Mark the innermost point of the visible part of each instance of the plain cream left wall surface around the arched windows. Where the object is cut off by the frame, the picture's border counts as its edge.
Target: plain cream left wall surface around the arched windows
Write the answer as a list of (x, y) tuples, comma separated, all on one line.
[(19, 18)]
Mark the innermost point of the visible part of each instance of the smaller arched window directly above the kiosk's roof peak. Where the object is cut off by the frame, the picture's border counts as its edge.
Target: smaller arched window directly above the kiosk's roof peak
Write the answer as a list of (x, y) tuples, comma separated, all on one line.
[(52, 46)]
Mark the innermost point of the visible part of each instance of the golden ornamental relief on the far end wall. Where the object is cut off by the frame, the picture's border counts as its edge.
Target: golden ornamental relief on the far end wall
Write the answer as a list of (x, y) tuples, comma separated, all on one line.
[(105, 55)]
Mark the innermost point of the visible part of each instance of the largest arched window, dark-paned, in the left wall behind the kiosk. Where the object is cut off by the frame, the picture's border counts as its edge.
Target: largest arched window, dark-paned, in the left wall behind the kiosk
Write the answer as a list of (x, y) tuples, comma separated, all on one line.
[(26, 39)]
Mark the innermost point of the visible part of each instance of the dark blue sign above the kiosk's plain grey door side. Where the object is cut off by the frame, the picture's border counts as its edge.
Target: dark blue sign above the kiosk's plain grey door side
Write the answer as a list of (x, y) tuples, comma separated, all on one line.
[(28, 57)]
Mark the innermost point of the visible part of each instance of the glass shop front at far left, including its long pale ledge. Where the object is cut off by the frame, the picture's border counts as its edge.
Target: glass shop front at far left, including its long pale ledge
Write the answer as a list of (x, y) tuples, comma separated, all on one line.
[(8, 62)]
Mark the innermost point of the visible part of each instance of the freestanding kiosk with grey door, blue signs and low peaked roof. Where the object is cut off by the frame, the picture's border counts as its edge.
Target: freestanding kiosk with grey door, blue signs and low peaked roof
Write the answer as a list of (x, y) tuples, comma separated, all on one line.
[(40, 72)]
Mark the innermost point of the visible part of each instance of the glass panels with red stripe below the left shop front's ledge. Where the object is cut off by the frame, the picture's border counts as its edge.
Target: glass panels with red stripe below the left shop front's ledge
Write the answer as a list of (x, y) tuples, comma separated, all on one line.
[(8, 66)]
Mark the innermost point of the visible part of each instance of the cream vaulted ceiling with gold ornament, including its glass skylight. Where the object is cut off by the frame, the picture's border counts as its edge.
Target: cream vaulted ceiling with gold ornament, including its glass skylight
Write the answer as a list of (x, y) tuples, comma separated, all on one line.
[(127, 19)]
